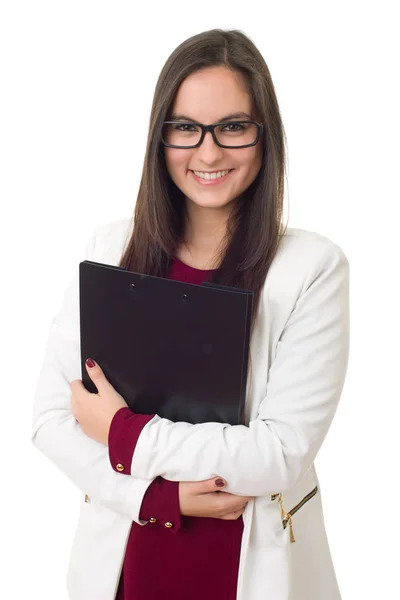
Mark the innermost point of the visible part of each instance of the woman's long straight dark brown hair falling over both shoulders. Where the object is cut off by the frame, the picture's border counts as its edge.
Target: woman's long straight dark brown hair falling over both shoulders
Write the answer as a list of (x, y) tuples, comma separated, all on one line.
[(255, 227)]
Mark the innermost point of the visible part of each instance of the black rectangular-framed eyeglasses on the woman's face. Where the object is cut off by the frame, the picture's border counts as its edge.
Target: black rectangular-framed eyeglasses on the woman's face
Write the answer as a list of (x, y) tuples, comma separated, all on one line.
[(231, 134)]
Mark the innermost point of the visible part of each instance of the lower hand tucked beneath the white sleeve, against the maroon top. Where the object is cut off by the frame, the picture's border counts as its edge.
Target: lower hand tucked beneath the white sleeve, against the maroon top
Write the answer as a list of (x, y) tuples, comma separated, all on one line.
[(205, 499)]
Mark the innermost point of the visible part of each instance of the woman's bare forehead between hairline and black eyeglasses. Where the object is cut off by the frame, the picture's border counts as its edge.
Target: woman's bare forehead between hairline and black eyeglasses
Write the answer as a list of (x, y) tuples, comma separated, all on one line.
[(209, 94)]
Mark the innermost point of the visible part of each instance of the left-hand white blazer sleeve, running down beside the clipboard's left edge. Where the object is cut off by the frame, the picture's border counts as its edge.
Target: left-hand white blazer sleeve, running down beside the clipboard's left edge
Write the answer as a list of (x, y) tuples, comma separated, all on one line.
[(55, 431)]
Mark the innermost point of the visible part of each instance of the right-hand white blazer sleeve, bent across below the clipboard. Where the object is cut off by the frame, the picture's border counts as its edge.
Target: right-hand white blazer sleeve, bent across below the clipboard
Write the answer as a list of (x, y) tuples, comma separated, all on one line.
[(305, 382)]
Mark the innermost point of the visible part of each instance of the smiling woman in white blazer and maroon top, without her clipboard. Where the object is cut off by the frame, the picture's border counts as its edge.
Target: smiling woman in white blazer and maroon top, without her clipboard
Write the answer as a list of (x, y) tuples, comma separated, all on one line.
[(209, 207)]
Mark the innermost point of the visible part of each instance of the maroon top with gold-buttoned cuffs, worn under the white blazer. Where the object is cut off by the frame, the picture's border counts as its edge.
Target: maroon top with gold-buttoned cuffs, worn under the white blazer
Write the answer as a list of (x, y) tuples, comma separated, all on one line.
[(172, 556)]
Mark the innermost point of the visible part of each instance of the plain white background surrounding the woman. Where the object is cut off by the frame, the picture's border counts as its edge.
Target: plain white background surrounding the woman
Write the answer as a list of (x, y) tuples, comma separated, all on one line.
[(77, 80)]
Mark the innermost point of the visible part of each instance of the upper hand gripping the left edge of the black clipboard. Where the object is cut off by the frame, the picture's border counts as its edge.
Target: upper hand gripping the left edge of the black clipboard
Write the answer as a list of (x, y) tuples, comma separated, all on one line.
[(94, 412)]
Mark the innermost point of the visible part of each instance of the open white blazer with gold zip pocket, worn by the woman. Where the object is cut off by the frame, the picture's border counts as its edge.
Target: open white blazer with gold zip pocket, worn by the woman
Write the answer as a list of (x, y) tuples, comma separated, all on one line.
[(299, 356)]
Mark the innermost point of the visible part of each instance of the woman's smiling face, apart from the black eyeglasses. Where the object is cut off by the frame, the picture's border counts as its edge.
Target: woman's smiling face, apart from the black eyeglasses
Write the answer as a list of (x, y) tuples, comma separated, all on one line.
[(208, 96)]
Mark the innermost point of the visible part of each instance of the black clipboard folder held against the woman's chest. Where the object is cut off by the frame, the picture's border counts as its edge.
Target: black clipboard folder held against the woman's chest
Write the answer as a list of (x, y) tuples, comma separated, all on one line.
[(175, 349)]
